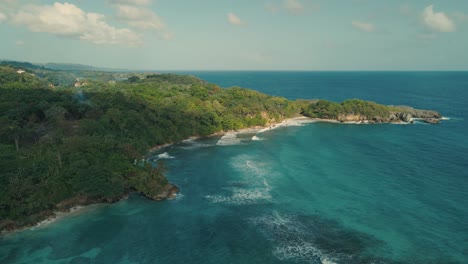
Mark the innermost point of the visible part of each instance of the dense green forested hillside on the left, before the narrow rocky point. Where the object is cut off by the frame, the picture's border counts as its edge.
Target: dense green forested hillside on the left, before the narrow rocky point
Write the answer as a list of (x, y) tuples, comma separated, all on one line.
[(63, 144)]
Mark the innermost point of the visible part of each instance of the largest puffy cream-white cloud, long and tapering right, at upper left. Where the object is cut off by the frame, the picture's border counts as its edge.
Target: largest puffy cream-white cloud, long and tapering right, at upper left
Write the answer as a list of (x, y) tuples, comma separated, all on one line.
[(68, 20)]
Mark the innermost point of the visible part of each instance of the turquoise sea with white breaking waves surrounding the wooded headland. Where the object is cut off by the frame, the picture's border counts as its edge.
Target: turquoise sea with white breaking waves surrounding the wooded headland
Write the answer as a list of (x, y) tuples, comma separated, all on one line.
[(316, 193)]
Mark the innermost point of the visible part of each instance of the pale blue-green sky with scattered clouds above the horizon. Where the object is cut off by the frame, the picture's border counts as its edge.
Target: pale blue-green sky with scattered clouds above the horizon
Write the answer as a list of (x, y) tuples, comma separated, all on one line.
[(311, 35)]
